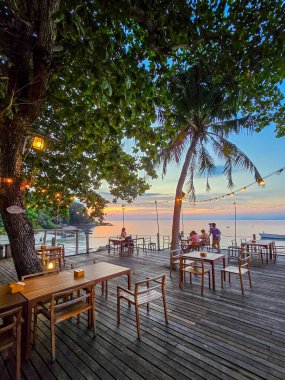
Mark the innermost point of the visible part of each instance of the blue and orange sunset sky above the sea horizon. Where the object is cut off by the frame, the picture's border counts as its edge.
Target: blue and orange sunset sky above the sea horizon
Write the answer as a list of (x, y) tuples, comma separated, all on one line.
[(264, 149)]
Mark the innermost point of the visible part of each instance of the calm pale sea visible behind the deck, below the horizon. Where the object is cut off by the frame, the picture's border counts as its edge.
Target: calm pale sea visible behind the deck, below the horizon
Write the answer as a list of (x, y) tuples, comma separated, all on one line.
[(99, 235)]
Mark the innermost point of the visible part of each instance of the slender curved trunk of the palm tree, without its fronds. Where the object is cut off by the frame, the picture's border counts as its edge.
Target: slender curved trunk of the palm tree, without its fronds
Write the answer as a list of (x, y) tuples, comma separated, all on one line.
[(178, 195)]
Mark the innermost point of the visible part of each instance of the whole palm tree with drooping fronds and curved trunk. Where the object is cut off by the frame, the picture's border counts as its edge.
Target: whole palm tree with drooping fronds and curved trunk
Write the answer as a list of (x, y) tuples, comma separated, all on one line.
[(203, 113)]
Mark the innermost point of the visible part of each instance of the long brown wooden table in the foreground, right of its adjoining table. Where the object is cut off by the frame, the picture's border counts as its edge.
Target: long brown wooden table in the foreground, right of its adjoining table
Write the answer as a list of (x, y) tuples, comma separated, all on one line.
[(40, 289)]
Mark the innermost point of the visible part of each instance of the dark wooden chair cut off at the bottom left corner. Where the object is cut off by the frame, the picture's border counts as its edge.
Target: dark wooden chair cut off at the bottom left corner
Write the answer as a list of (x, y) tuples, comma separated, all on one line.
[(10, 335)]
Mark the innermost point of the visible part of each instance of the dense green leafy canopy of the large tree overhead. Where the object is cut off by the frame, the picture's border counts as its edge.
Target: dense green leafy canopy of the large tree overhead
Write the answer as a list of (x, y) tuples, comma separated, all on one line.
[(107, 68)]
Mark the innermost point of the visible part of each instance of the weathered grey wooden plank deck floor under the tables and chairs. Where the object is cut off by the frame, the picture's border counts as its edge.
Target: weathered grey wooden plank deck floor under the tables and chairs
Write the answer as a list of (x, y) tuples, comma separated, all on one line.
[(222, 335)]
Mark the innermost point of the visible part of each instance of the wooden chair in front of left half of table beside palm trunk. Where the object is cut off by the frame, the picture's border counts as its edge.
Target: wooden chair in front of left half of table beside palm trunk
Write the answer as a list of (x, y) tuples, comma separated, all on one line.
[(193, 266)]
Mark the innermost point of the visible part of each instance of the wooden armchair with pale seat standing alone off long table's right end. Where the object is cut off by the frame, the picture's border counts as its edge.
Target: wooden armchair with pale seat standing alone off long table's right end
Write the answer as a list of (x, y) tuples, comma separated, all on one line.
[(145, 292)]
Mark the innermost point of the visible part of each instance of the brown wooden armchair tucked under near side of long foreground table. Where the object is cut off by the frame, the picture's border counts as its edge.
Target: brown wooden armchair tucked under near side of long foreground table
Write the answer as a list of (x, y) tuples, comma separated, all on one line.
[(65, 305)]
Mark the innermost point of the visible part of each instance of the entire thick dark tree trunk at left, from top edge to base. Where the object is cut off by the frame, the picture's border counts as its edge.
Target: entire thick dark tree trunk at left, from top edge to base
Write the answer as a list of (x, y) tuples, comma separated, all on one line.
[(27, 43)]
